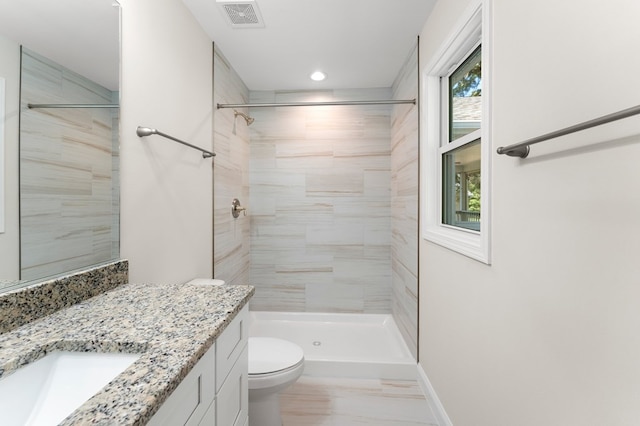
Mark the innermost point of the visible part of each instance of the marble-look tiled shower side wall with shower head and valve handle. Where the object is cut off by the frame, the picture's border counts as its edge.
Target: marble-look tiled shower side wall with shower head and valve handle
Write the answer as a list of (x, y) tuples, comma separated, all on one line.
[(231, 240)]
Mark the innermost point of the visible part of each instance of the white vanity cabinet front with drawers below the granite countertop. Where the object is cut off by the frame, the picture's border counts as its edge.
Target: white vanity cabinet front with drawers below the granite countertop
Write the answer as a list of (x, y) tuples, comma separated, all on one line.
[(215, 392)]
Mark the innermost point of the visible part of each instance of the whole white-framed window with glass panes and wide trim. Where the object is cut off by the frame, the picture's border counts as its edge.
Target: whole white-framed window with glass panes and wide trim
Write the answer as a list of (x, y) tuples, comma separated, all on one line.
[(456, 144)]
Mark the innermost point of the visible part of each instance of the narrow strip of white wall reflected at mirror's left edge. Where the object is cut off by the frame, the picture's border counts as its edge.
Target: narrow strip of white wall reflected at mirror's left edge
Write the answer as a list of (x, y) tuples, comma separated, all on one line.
[(9, 240)]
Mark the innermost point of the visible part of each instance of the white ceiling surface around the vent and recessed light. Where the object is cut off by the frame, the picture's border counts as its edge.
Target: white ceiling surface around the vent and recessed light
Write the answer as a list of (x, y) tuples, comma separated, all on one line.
[(357, 43)]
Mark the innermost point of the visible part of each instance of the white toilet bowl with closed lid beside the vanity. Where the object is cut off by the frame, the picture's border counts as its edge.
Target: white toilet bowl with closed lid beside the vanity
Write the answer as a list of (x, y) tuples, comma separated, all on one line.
[(274, 365)]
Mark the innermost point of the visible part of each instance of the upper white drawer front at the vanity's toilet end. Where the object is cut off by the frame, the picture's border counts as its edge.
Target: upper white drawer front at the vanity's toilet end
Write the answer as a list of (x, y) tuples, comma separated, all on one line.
[(230, 344)]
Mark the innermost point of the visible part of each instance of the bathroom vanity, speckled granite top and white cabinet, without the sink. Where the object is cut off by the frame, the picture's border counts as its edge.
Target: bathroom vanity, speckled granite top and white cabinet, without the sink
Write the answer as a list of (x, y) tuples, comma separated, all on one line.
[(192, 346)]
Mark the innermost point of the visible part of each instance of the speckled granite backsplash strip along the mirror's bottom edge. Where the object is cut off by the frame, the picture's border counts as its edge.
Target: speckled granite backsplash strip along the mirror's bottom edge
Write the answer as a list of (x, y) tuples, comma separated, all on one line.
[(27, 304)]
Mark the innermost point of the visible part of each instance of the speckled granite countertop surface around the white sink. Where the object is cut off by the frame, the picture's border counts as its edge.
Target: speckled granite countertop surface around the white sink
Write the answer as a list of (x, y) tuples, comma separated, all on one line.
[(172, 326)]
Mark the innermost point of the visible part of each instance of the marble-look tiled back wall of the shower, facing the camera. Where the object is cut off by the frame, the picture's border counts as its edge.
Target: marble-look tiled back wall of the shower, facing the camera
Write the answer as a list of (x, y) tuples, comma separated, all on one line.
[(321, 203)]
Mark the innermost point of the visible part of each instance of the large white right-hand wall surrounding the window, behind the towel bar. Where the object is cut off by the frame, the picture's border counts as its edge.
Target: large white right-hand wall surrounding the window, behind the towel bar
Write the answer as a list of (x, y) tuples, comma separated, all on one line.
[(548, 334)]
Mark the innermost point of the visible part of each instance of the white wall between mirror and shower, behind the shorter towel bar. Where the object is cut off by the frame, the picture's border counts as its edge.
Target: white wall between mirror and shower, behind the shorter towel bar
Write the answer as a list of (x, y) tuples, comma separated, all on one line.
[(166, 187)]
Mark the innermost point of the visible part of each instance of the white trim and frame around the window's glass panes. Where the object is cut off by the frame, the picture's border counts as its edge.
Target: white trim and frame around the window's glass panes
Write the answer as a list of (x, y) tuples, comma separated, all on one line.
[(473, 27)]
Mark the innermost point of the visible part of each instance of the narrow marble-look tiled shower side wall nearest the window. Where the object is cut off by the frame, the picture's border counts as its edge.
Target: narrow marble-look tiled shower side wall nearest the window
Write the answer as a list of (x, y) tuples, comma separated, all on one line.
[(404, 201)]
